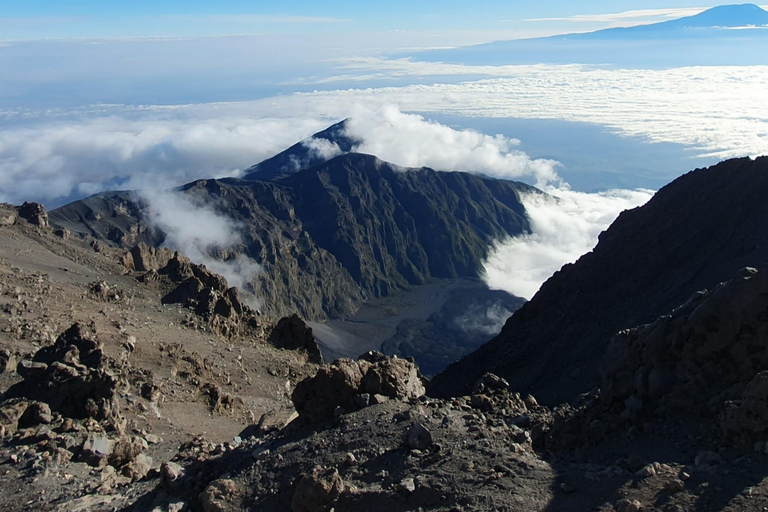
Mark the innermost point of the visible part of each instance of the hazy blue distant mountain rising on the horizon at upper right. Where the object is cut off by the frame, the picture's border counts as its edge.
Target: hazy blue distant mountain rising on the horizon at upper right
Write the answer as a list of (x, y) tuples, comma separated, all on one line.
[(708, 38)]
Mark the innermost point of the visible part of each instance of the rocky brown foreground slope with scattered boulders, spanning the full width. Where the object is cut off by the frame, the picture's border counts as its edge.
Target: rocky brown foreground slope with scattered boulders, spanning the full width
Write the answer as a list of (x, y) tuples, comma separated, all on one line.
[(139, 381)]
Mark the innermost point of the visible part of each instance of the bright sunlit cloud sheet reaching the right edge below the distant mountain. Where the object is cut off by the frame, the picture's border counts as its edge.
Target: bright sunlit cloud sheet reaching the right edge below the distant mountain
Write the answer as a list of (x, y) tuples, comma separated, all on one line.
[(719, 111)]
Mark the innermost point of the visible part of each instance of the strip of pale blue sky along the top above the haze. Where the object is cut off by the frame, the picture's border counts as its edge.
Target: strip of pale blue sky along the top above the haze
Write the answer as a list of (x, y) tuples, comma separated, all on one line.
[(42, 19)]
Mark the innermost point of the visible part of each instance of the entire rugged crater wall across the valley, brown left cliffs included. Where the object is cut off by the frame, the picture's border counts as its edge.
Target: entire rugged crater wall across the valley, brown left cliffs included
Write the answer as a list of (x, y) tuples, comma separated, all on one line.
[(333, 235)]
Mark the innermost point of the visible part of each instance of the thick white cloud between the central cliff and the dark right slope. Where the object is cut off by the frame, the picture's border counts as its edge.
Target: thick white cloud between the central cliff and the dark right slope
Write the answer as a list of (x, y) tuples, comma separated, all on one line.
[(564, 227)]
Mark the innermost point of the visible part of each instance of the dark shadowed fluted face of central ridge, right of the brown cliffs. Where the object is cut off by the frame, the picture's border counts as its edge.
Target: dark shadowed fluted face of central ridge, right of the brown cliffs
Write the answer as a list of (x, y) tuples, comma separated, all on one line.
[(392, 227)]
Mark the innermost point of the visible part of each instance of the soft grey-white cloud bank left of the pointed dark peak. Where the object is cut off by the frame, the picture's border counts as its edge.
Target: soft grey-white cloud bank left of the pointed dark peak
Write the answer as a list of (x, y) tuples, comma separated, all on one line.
[(161, 148)]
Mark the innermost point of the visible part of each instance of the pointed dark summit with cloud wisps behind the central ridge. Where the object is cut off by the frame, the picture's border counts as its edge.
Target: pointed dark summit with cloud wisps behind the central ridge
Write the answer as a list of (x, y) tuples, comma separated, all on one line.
[(312, 151)]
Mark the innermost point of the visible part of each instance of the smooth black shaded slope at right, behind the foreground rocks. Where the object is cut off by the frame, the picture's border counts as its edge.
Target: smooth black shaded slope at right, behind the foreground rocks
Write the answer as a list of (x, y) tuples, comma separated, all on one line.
[(696, 232)]
